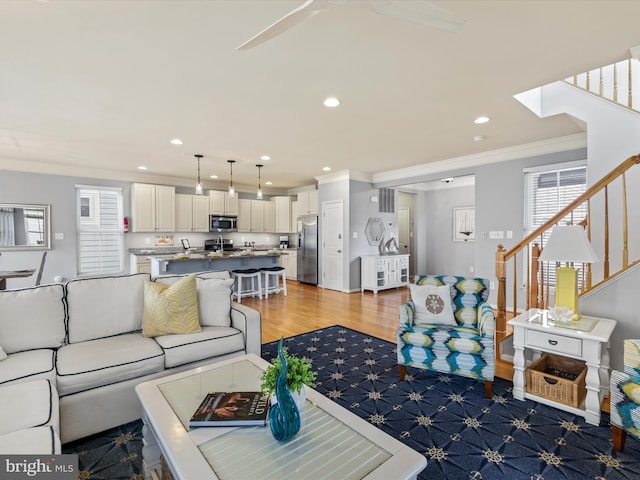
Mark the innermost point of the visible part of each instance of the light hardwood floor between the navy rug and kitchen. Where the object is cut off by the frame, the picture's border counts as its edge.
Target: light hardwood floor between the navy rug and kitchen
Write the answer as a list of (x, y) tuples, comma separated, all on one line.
[(307, 308)]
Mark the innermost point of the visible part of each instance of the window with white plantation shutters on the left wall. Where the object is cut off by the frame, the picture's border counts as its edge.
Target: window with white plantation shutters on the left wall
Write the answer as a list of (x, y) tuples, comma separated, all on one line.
[(100, 231)]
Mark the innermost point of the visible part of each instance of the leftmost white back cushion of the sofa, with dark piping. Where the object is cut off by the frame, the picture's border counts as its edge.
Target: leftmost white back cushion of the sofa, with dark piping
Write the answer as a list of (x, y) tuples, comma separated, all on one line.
[(32, 318)]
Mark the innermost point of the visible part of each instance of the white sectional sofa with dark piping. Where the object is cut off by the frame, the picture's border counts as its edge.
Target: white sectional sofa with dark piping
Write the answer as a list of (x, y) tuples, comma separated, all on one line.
[(84, 339)]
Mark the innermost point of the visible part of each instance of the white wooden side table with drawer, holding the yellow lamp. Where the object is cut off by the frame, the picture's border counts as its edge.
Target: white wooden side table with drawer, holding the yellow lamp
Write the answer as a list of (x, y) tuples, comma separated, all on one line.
[(534, 333)]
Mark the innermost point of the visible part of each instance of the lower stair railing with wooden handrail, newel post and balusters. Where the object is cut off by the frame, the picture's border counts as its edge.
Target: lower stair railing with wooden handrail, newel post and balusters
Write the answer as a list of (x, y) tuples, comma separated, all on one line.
[(537, 289)]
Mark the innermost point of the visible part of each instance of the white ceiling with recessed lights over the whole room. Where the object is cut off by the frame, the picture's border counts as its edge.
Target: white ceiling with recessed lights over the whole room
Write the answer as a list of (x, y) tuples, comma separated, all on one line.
[(97, 88)]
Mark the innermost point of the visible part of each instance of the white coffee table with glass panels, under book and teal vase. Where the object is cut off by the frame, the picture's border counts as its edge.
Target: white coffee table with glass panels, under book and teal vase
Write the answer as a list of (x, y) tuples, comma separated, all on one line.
[(332, 442)]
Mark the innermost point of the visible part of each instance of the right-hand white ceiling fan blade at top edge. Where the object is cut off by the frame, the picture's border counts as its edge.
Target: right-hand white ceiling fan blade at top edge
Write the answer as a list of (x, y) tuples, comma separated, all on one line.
[(419, 11)]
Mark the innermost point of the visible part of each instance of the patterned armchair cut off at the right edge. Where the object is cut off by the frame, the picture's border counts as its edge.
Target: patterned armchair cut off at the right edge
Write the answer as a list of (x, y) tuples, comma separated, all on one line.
[(624, 392)]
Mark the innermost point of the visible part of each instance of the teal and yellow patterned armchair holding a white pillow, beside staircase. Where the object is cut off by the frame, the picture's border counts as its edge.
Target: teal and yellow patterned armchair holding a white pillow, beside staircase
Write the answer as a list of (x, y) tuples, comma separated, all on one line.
[(464, 348)]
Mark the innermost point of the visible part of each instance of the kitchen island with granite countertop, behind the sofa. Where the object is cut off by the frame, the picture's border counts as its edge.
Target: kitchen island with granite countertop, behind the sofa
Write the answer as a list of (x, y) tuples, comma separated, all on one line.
[(167, 264)]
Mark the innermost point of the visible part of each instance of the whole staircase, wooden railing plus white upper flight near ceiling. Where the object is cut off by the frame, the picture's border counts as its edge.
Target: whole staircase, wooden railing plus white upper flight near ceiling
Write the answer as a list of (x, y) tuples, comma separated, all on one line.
[(606, 101)]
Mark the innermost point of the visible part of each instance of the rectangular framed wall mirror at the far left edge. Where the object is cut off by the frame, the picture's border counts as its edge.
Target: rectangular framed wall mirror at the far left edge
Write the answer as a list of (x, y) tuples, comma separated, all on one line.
[(25, 227)]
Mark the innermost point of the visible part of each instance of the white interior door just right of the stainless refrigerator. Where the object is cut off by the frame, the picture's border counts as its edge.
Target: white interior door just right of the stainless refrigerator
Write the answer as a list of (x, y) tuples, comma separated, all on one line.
[(332, 242)]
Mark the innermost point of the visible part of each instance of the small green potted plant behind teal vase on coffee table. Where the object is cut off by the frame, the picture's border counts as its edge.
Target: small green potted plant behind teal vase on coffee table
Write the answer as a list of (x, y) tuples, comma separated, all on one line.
[(299, 374)]
